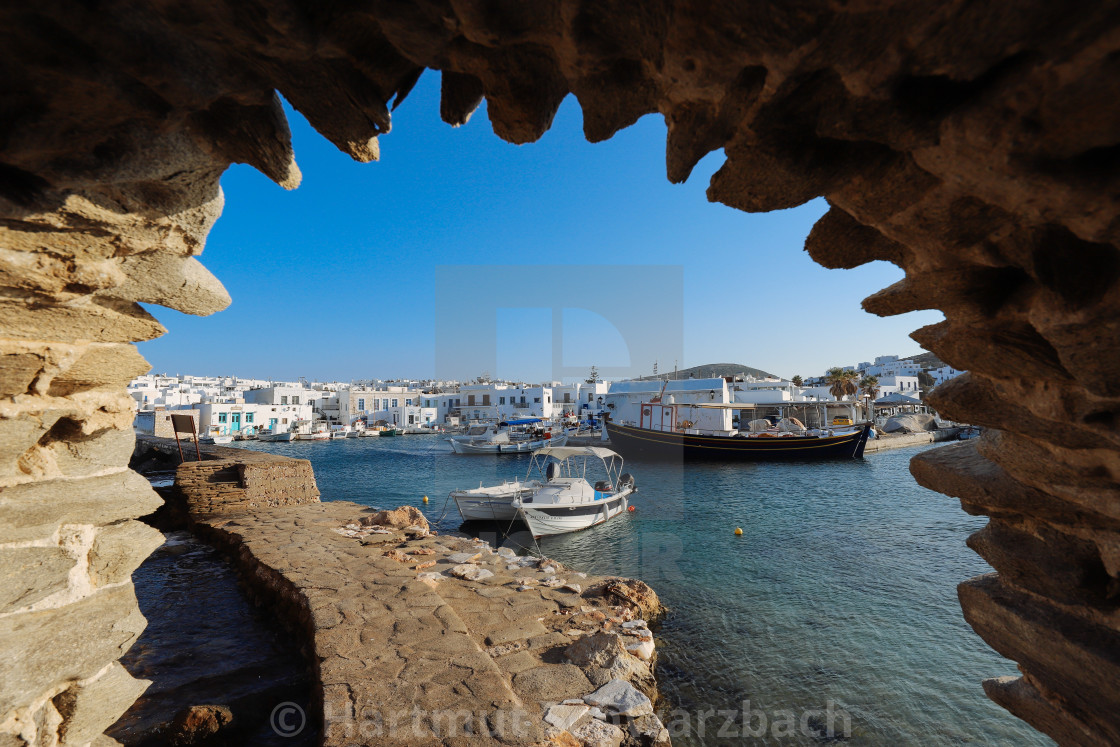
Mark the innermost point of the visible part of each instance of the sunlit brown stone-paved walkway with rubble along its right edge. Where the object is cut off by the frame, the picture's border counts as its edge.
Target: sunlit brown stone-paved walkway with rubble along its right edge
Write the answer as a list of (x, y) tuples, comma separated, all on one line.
[(409, 651)]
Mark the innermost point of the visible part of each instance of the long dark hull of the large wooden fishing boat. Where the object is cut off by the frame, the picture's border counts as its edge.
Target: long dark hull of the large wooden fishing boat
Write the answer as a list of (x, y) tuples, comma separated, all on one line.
[(640, 443)]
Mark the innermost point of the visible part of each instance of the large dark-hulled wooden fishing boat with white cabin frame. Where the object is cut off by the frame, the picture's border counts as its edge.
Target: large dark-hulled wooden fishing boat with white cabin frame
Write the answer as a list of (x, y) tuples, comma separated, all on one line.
[(665, 432)]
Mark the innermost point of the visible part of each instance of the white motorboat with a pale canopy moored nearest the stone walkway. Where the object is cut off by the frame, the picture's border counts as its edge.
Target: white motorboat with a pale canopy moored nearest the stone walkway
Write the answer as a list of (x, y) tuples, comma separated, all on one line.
[(568, 502)]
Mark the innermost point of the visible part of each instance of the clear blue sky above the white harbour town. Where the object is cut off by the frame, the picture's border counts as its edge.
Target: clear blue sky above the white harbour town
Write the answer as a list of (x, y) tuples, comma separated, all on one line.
[(338, 281)]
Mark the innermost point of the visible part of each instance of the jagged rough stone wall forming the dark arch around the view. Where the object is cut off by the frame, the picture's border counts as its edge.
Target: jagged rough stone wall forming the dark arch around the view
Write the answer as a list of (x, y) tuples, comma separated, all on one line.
[(973, 144)]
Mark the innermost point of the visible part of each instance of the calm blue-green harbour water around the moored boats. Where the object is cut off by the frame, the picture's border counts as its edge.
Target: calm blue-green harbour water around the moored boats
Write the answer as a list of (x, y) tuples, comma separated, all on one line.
[(839, 599)]
